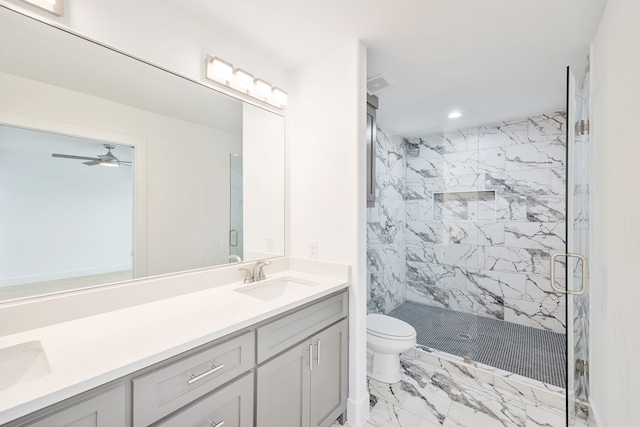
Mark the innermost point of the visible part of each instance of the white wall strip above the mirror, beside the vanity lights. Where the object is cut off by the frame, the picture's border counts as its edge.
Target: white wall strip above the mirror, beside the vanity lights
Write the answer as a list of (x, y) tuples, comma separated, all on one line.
[(158, 32)]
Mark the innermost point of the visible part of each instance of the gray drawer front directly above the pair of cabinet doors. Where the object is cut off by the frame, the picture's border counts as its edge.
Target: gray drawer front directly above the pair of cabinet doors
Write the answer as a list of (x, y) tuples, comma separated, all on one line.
[(285, 332)]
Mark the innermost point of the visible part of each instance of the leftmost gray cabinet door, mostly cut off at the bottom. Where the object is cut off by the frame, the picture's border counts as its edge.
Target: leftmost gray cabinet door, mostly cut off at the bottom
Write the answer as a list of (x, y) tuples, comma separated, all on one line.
[(105, 409)]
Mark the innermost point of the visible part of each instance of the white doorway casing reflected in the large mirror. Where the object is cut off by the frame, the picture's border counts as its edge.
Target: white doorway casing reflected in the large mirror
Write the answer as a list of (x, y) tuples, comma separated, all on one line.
[(139, 170)]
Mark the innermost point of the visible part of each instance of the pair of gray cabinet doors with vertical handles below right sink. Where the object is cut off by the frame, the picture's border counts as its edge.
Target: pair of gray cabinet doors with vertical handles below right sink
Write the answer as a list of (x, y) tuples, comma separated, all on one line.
[(307, 384)]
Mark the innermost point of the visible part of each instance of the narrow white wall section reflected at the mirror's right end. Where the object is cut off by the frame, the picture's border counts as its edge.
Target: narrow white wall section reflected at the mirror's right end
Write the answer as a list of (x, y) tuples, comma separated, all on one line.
[(263, 183)]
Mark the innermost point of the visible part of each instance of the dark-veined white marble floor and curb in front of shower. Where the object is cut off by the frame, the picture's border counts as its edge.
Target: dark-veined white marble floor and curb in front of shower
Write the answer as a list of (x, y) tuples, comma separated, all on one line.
[(452, 396)]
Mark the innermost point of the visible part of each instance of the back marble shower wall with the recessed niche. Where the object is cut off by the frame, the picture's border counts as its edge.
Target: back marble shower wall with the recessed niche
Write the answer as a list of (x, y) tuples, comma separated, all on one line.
[(485, 208)]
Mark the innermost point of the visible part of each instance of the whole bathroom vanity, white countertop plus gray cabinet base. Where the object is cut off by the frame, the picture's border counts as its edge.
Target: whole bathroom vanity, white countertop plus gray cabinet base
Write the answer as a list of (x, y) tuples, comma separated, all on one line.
[(281, 360)]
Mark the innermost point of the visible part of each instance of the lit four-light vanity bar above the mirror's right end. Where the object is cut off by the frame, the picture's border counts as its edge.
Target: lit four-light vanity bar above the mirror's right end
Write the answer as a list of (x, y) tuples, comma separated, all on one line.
[(240, 80)]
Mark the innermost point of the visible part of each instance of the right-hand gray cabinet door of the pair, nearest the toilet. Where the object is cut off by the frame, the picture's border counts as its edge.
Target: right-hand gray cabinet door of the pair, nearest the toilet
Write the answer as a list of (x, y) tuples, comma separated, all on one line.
[(329, 374)]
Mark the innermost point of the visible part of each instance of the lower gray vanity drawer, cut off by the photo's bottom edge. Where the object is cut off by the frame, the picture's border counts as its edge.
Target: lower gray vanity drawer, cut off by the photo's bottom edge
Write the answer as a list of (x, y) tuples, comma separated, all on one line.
[(231, 406)]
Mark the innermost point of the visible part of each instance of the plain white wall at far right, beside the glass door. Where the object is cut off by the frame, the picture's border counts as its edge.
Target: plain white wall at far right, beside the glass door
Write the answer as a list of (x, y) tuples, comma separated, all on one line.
[(615, 290)]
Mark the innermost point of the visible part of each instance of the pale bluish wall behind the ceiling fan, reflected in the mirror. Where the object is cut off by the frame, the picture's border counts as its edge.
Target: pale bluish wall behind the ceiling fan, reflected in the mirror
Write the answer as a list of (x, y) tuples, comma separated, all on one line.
[(61, 218)]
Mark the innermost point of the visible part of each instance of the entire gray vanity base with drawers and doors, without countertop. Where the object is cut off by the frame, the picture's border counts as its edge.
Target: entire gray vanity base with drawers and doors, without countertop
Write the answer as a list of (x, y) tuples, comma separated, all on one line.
[(287, 371)]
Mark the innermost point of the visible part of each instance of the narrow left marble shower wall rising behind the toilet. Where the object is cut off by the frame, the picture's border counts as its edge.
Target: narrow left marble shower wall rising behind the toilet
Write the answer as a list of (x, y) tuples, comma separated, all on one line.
[(386, 249)]
